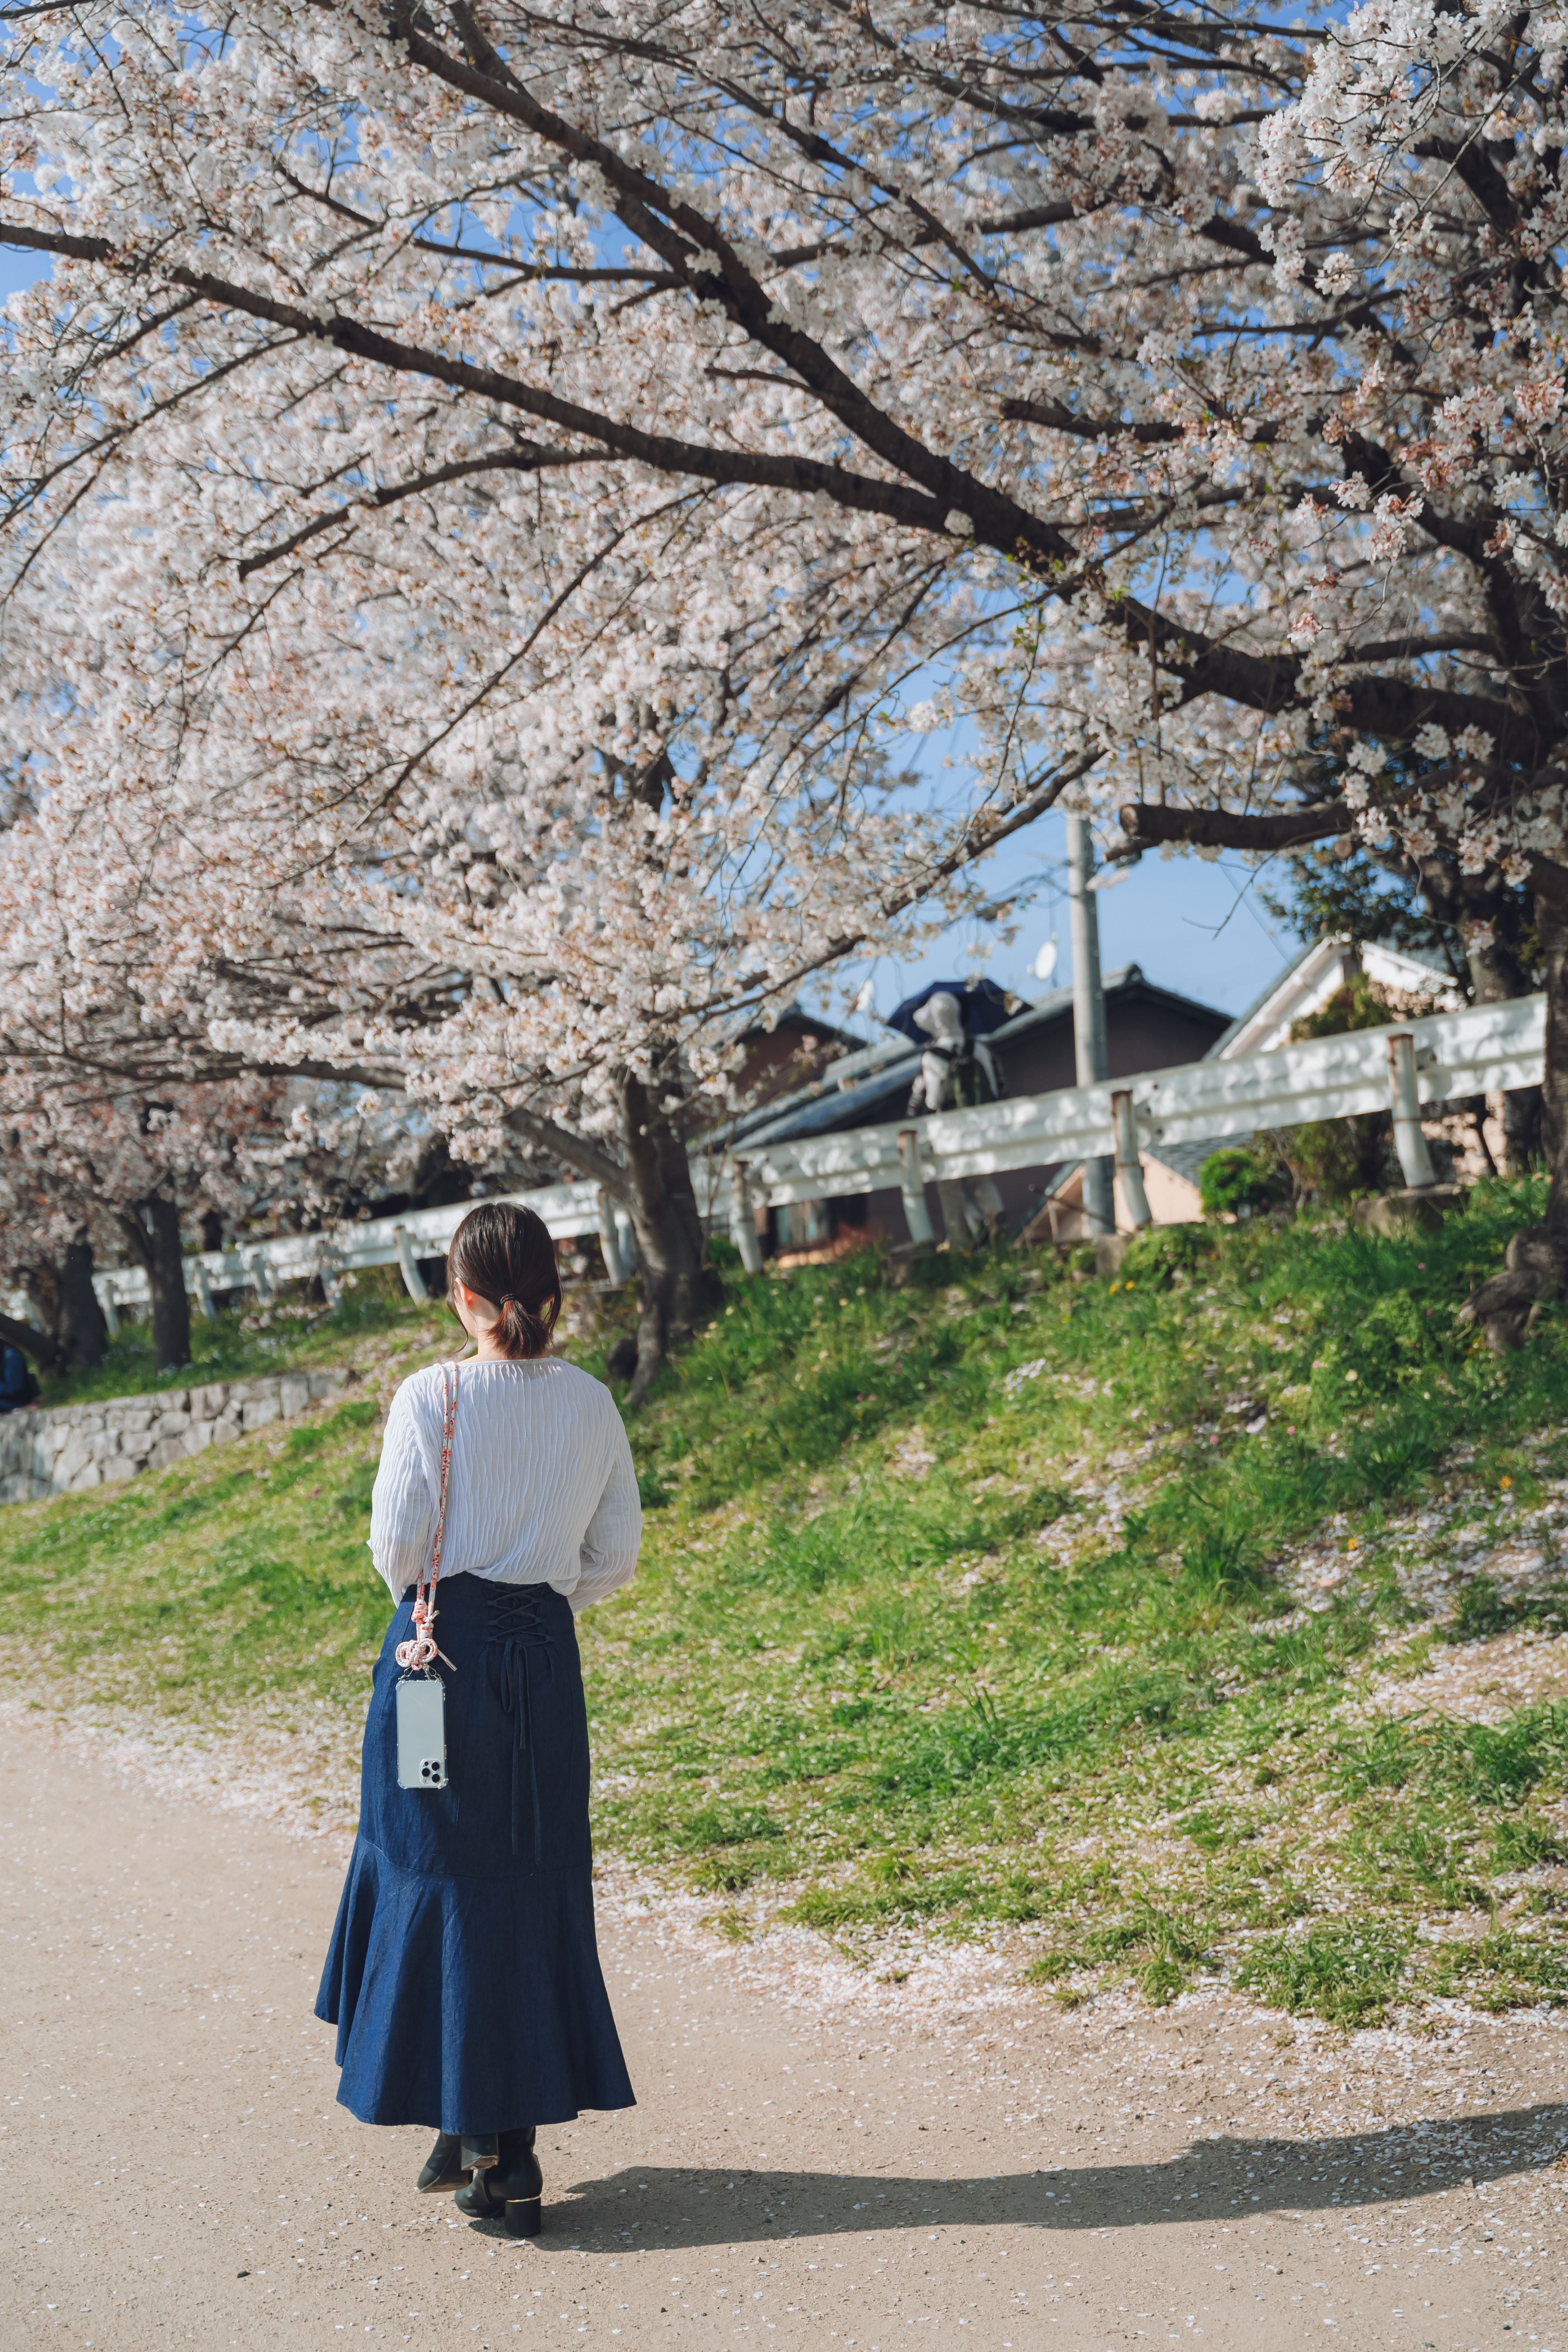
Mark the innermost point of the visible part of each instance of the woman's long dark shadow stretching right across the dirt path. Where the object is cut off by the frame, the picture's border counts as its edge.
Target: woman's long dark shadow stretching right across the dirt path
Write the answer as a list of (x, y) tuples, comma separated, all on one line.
[(1217, 2181)]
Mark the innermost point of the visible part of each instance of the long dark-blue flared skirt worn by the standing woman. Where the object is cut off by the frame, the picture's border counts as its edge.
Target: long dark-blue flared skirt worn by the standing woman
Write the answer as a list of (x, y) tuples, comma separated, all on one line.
[(464, 1975)]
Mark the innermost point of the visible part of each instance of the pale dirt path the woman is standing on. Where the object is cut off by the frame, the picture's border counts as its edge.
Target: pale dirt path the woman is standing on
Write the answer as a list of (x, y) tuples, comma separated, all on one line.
[(871, 2172)]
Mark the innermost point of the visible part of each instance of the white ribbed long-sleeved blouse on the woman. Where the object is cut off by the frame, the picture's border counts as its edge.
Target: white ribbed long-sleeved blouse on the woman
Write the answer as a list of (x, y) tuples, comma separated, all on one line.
[(542, 1485)]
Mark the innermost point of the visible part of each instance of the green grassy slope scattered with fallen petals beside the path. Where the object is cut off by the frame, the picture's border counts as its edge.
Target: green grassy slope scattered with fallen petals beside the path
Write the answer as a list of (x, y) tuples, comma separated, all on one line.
[(977, 1603)]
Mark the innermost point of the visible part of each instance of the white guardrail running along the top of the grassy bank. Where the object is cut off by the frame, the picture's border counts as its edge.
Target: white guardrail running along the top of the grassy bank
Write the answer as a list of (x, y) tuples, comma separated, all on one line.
[(1405, 1069)]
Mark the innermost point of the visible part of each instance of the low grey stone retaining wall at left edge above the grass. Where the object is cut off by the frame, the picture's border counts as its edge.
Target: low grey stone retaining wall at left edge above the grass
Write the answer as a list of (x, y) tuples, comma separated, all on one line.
[(69, 1448)]
